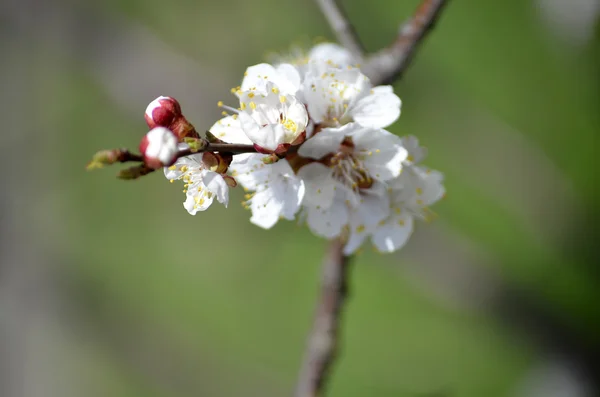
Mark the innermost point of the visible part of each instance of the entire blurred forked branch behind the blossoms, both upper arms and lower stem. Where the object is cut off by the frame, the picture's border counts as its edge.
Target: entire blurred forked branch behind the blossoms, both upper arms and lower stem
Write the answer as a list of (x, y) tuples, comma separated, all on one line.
[(386, 65)]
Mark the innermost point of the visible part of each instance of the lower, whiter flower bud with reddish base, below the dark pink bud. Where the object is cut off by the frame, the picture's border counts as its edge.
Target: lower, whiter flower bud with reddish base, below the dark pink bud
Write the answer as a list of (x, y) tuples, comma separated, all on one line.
[(159, 148)]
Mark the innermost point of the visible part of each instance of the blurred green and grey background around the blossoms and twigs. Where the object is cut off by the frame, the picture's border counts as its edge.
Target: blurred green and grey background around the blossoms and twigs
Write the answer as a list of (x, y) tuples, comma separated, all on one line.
[(109, 288)]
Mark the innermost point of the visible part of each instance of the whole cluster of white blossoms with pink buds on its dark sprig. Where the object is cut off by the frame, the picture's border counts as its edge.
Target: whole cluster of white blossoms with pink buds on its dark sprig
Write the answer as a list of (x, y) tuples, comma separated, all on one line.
[(306, 140)]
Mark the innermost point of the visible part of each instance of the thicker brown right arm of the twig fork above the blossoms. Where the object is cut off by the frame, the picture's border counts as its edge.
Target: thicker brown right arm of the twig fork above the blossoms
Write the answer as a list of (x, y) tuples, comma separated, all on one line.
[(388, 64)]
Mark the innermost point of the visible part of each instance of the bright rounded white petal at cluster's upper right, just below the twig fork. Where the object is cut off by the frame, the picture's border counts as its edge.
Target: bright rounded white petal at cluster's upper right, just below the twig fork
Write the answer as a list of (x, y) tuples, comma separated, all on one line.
[(378, 110)]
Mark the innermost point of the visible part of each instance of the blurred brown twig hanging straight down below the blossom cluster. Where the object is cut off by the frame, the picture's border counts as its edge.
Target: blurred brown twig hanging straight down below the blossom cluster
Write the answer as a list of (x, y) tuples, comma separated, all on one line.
[(324, 337)]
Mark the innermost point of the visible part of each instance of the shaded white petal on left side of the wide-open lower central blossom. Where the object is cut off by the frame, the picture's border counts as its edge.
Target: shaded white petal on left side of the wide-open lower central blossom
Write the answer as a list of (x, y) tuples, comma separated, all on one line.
[(319, 185)]
